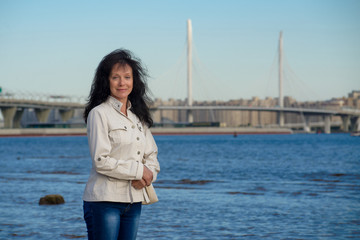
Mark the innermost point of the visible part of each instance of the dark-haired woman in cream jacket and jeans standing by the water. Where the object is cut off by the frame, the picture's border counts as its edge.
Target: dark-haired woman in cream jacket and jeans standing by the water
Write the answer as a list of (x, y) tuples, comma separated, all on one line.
[(122, 148)]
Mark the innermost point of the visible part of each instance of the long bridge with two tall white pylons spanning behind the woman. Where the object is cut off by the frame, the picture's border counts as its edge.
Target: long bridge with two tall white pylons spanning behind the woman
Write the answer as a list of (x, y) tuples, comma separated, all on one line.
[(13, 105)]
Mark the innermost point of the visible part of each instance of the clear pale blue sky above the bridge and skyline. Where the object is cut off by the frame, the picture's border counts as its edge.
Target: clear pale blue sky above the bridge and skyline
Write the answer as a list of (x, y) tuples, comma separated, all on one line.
[(54, 47)]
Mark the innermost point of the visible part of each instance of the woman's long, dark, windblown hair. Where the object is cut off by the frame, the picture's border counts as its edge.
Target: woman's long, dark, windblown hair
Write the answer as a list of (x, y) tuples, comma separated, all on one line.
[(100, 88)]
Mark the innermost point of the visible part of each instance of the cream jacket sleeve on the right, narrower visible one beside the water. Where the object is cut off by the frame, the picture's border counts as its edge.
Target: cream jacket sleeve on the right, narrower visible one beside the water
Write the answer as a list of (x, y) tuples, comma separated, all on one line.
[(150, 156)]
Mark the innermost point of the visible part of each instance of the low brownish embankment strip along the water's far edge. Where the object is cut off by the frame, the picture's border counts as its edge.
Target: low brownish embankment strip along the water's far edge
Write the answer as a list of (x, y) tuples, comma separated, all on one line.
[(39, 132)]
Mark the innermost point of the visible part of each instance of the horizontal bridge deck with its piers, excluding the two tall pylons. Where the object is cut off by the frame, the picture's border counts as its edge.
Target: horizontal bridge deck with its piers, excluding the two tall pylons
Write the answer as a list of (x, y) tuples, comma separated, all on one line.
[(13, 107)]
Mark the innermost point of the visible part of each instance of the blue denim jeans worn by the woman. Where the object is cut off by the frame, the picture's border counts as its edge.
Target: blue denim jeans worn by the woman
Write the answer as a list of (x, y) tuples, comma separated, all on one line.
[(112, 220)]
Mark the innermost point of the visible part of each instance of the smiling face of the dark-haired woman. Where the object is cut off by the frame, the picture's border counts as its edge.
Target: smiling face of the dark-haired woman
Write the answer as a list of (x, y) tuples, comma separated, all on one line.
[(121, 82)]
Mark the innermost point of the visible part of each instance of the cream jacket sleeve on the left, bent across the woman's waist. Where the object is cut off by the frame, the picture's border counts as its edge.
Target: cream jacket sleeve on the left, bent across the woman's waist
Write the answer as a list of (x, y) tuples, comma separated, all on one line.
[(100, 148)]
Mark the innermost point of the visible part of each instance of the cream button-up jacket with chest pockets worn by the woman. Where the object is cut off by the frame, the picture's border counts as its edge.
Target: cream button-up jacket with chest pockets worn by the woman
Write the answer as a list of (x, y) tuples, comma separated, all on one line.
[(120, 146)]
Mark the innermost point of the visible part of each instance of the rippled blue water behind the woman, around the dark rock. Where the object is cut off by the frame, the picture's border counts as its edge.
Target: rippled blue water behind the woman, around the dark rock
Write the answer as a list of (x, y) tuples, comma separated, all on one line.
[(210, 187)]
